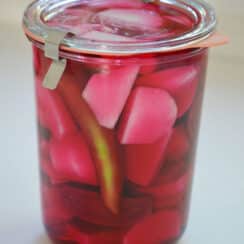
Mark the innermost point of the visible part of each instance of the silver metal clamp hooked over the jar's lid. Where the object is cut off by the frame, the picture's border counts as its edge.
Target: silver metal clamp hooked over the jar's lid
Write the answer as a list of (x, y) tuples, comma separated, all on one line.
[(57, 67)]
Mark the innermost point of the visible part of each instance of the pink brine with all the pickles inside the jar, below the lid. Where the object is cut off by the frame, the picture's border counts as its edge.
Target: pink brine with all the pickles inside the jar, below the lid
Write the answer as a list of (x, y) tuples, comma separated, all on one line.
[(117, 146)]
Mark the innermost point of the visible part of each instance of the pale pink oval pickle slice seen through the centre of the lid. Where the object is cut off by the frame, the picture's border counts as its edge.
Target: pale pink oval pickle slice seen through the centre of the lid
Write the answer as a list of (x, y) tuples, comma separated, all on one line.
[(130, 18)]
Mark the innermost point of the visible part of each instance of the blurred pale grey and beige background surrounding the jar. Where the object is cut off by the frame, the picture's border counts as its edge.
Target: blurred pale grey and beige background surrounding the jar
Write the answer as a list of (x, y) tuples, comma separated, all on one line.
[(217, 213)]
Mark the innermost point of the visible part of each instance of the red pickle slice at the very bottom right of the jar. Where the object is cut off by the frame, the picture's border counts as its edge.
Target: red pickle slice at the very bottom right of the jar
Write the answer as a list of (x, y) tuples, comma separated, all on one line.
[(160, 226)]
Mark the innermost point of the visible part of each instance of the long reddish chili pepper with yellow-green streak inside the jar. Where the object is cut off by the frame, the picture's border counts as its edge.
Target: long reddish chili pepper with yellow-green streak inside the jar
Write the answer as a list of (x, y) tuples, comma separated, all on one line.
[(102, 142)]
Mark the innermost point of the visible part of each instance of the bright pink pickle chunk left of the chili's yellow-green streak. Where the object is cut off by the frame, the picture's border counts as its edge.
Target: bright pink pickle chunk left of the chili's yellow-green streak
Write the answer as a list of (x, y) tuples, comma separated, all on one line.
[(71, 159)]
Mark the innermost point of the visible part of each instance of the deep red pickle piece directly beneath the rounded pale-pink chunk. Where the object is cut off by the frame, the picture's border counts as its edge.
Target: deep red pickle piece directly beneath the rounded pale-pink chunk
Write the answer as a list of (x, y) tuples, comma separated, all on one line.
[(144, 161)]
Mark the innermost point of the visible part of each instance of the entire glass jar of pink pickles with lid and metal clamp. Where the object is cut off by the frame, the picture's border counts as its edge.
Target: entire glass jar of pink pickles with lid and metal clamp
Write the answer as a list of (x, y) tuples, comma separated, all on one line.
[(118, 122)]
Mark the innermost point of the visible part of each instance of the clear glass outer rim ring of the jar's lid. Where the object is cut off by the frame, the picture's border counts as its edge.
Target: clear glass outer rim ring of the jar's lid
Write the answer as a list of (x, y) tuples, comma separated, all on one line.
[(202, 12)]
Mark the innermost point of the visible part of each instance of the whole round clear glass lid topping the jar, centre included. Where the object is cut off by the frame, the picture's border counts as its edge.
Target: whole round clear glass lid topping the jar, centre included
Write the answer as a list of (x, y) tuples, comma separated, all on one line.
[(120, 27)]
